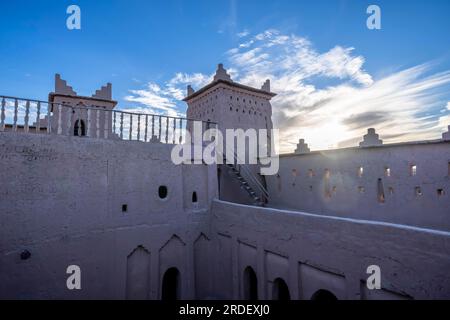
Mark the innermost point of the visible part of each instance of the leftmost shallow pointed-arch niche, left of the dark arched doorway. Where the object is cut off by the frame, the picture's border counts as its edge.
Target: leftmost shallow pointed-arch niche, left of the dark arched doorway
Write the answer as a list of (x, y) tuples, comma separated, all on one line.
[(138, 274)]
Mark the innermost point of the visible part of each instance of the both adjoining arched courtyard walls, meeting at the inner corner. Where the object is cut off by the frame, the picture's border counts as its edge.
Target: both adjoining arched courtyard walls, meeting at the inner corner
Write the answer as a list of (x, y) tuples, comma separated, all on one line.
[(96, 204)]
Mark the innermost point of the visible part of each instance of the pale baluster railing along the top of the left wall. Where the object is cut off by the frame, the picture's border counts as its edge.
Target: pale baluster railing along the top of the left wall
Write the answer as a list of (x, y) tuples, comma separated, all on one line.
[(34, 116)]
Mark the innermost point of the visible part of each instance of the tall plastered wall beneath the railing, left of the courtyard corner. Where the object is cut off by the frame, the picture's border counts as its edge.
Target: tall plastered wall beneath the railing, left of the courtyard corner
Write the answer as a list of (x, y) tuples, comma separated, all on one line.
[(95, 203)]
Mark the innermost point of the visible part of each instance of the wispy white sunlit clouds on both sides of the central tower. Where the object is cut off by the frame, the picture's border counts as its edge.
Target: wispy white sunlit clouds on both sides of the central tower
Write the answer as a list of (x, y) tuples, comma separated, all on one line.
[(328, 97)]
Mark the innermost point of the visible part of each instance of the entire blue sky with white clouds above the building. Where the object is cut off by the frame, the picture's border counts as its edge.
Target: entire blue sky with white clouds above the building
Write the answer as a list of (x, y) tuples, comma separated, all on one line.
[(150, 50)]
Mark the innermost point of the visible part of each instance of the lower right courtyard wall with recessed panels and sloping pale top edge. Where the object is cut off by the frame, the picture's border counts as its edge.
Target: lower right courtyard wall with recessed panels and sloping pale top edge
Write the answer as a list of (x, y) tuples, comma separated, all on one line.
[(314, 252)]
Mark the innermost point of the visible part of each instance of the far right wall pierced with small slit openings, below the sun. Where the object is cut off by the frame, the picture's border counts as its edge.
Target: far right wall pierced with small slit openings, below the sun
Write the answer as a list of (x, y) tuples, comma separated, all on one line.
[(406, 183)]
